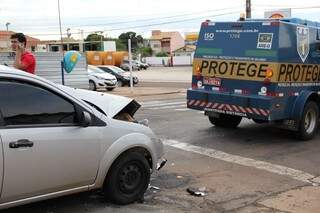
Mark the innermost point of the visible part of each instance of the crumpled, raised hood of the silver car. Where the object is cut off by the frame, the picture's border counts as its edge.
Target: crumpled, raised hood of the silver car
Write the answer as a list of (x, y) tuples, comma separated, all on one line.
[(110, 104)]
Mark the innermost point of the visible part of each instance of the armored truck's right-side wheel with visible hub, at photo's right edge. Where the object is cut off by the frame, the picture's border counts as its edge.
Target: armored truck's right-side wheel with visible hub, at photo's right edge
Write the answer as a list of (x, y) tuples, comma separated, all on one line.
[(308, 124)]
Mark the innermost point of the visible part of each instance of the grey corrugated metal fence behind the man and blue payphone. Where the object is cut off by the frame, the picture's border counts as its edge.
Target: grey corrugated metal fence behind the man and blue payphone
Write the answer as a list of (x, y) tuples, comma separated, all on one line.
[(49, 67)]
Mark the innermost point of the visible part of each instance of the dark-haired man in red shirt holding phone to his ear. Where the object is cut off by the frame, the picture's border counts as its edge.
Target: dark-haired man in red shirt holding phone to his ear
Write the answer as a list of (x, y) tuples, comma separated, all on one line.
[(24, 59)]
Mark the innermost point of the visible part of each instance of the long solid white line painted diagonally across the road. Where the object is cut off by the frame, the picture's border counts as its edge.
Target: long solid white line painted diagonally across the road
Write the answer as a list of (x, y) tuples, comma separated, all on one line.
[(262, 165)]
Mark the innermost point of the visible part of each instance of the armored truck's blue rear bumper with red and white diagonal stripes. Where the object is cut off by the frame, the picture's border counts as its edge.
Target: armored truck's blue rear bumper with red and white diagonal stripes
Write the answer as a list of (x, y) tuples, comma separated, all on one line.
[(251, 106)]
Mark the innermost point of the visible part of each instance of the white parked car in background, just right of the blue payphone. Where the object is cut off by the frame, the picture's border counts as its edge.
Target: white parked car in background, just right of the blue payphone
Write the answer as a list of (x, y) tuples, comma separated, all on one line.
[(99, 79)]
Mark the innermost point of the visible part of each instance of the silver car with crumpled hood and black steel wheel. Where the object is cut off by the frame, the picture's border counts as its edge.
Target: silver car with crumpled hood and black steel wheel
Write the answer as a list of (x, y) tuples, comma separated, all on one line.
[(56, 140)]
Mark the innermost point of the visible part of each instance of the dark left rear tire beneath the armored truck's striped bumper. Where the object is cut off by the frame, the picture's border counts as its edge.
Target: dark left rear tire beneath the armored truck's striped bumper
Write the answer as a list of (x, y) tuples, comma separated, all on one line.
[(227, 121)]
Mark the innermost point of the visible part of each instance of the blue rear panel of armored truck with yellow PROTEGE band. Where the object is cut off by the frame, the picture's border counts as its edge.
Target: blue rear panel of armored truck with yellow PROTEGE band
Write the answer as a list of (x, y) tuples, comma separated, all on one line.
[(229, 54)]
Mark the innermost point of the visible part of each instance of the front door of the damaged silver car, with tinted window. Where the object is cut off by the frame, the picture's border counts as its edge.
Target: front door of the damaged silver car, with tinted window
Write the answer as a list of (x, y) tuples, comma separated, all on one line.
[(45, 149)]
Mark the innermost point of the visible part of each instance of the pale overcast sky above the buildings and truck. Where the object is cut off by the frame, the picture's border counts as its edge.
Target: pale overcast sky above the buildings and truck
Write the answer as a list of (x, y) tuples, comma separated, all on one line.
[(39, 18)]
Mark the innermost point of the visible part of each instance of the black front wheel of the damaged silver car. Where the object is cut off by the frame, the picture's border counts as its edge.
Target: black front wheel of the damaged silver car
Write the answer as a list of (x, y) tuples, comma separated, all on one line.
[(127, 179)]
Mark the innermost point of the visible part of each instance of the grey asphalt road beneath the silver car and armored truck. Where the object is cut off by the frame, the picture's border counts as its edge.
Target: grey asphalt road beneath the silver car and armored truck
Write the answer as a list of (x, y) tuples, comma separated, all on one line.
[(236, 168)]
